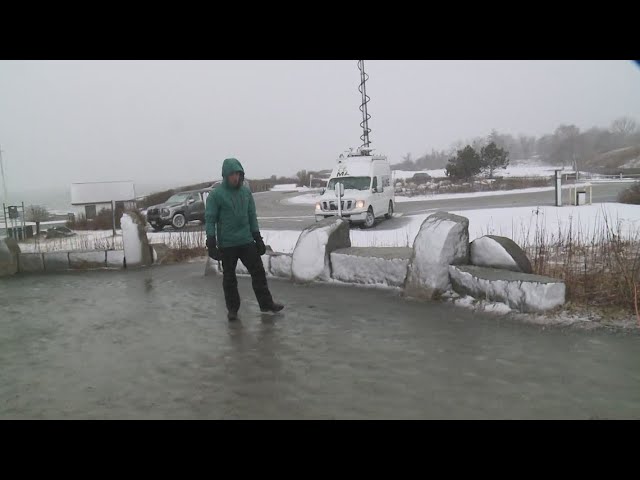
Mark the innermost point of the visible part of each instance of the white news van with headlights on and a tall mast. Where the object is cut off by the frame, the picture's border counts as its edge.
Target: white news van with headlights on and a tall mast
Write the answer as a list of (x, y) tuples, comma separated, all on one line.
[(368, 189)]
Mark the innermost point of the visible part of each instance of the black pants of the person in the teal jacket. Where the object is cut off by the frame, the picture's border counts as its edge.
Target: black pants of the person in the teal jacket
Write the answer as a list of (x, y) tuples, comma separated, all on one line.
[(248, 255)]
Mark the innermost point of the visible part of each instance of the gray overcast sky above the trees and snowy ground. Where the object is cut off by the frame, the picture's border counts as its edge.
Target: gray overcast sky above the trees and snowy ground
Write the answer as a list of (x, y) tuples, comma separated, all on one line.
[(167, 122)]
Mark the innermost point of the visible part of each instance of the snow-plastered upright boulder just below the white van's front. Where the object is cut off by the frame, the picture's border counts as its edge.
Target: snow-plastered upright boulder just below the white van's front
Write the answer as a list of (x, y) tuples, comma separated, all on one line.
[(311, 256)]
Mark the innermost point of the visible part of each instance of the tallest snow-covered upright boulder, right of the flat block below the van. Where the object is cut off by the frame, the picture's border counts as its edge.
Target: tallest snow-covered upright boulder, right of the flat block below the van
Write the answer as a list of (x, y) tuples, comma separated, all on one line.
[(443, 240)]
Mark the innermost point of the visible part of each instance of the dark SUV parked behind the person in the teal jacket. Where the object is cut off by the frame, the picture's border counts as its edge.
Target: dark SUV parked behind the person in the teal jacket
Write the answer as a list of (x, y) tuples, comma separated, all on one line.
[(178, 210)]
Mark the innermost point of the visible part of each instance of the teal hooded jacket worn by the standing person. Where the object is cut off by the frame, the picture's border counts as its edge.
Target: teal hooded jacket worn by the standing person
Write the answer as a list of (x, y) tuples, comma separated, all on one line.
[(230, 214)]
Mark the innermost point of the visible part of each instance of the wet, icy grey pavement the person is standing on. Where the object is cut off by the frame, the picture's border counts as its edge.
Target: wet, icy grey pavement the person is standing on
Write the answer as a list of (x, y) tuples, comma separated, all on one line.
[(155, 343)]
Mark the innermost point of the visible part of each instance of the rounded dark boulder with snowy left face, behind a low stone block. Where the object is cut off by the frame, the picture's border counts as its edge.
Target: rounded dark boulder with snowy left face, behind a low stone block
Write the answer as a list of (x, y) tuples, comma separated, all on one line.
[(499, 252)]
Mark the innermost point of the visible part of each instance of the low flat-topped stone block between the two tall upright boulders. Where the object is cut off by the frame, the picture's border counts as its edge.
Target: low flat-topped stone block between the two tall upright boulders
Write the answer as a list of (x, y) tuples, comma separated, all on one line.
[(370, 265)]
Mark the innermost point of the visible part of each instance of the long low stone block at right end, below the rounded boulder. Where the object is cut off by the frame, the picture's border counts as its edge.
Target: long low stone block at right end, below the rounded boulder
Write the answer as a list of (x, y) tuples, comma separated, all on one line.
[(521, 291)]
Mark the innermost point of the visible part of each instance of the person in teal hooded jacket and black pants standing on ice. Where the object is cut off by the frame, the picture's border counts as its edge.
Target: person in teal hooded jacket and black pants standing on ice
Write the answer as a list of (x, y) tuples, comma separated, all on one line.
[(233, 234)]
